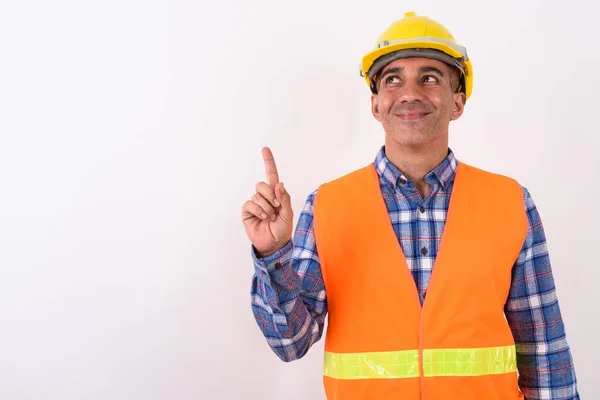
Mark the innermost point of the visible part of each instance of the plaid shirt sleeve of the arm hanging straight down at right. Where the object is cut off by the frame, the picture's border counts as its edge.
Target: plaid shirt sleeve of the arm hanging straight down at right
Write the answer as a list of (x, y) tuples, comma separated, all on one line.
[(544, 359)]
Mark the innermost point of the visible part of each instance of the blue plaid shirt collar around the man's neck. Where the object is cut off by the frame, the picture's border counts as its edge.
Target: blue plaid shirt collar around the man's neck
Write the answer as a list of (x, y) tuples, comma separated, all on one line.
[(444, 172)]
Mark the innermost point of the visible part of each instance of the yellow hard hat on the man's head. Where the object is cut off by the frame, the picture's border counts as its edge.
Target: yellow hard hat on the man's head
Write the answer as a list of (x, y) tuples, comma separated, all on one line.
[(416, 36)]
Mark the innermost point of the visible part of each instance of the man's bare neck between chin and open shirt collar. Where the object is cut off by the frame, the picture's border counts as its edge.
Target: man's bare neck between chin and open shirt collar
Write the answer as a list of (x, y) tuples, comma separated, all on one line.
[(416, 162)]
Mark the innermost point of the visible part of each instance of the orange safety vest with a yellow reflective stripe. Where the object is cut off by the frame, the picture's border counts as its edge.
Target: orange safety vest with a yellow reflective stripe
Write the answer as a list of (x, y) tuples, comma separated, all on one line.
[(380, 343)]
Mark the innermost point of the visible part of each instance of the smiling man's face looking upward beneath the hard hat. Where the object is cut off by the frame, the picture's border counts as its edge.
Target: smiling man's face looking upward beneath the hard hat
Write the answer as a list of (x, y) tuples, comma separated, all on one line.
[(415, 101)]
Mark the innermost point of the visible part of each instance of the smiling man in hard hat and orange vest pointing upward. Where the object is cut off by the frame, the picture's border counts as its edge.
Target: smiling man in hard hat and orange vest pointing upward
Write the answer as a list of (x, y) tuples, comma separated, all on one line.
[(434, 274)]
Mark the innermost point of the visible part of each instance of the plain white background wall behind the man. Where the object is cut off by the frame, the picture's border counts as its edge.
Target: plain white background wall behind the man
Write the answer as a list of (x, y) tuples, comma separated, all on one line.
[(130, 136)]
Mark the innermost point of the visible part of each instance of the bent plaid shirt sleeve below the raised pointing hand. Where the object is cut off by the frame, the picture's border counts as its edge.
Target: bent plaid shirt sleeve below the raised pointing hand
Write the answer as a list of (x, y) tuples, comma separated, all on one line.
[(288, 293)]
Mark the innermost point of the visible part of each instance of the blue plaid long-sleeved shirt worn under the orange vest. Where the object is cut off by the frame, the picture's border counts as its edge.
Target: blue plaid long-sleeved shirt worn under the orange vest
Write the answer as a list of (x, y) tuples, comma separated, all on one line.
[(290, 305)]
